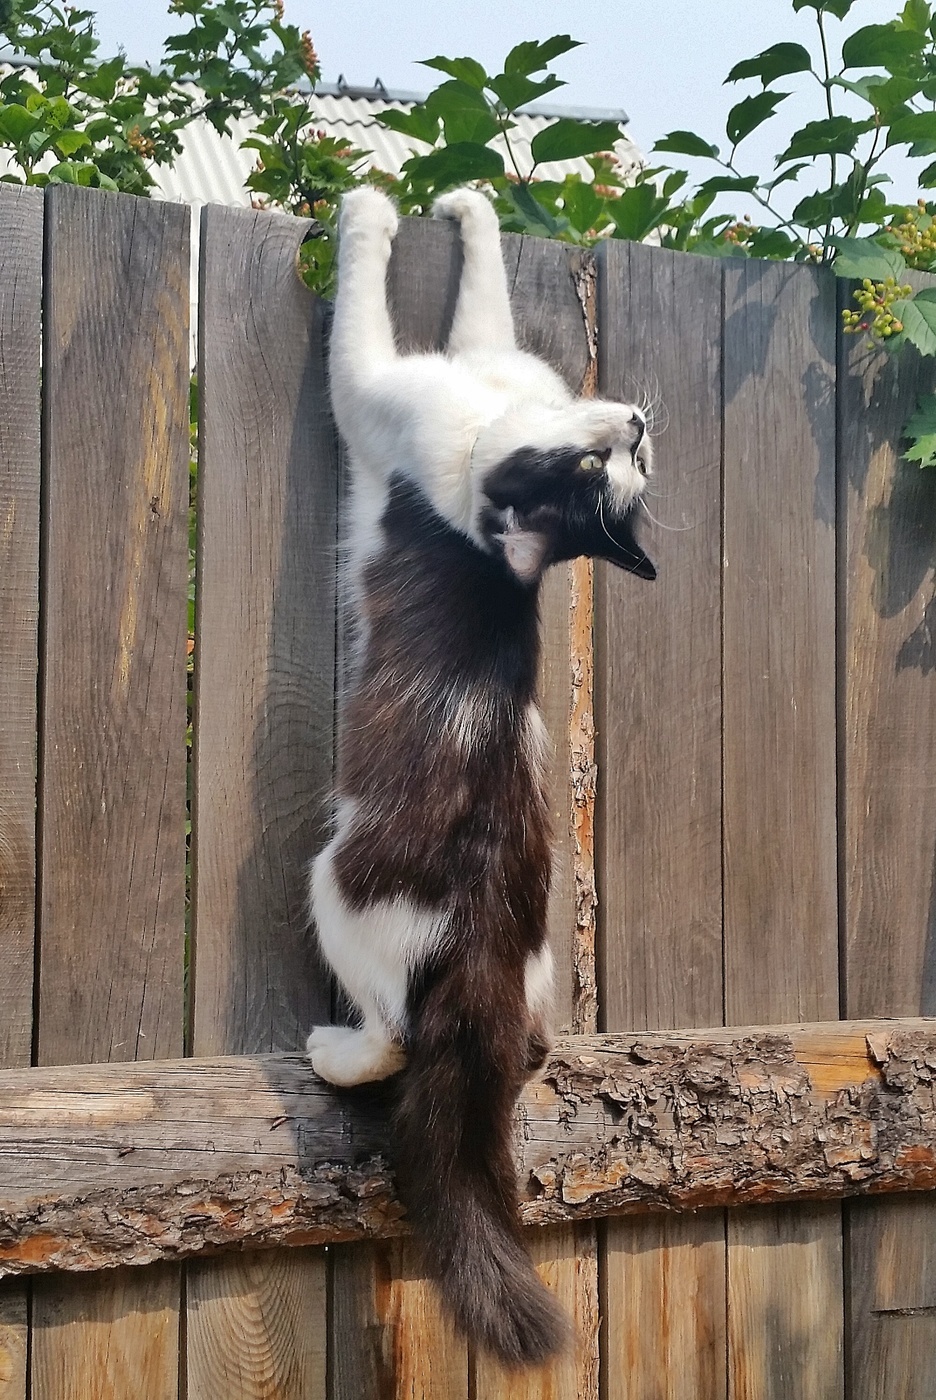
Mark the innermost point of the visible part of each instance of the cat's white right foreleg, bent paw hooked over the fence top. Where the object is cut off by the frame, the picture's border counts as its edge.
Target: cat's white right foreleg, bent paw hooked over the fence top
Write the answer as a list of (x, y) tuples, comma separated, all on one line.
[(483, 318)]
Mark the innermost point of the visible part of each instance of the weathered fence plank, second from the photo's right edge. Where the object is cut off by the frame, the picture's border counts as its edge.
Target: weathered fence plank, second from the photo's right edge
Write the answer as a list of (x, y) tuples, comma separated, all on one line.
[(781, 934)]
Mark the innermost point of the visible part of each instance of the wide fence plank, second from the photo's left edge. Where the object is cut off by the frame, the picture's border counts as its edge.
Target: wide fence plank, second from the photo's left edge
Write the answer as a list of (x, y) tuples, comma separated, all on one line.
[(113, 758)]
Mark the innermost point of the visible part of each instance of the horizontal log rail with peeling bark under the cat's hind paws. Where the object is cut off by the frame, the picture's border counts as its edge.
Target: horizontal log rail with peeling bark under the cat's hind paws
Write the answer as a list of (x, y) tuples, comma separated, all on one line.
[(127, 1164)]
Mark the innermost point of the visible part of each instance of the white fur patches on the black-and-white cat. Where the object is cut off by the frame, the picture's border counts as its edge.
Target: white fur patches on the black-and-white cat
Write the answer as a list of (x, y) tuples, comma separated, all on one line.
[(443, 421)]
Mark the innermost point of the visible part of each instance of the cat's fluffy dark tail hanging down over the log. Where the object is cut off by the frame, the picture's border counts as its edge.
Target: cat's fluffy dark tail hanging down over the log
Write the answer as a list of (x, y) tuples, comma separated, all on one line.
[(468, 1056)]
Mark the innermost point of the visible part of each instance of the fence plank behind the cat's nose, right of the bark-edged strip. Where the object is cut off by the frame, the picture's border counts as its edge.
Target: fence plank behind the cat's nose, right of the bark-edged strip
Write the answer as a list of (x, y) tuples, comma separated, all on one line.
[(660, 715)]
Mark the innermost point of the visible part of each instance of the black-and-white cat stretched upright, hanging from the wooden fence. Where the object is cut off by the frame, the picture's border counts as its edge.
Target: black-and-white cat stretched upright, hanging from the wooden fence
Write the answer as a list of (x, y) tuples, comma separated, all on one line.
[(471, 472)]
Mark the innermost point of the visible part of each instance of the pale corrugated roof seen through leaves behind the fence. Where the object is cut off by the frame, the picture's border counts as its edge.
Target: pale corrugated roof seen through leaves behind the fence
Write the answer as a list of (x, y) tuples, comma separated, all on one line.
[(212, 169)]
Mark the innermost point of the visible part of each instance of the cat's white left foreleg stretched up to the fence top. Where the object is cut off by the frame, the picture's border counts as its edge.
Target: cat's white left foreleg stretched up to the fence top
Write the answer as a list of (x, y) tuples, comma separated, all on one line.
[(363, 342)]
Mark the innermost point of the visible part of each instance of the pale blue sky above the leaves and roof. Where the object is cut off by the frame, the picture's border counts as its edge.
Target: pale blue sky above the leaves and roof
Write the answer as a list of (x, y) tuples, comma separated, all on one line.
[(661, 61)]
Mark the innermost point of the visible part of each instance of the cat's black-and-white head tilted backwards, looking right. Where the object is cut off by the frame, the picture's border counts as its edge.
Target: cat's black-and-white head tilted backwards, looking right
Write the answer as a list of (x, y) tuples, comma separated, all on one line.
[(563, 484)]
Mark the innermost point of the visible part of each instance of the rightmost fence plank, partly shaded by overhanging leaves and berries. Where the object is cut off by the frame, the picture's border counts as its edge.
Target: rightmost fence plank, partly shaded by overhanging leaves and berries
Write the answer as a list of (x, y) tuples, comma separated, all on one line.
[(888, 660)]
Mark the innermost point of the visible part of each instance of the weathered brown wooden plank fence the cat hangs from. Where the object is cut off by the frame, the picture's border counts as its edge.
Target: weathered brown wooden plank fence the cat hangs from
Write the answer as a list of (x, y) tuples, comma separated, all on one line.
[(746, 773)]
